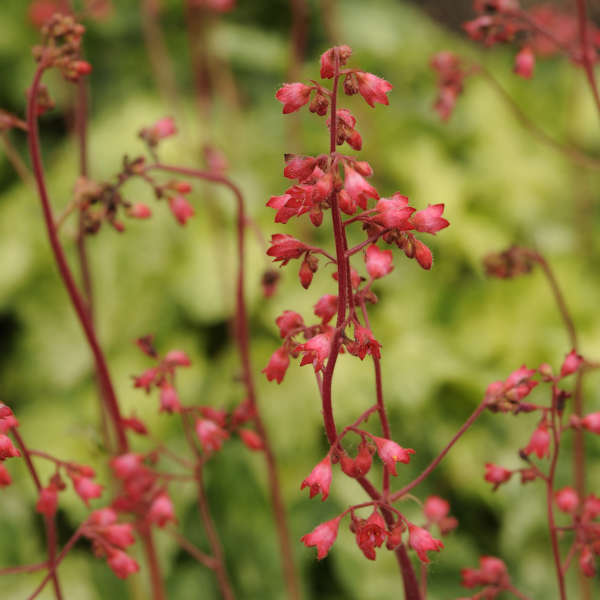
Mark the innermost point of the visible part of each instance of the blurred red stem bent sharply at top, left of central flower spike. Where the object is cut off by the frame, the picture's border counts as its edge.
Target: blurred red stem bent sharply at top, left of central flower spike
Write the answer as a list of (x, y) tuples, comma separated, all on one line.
[(243, 341)]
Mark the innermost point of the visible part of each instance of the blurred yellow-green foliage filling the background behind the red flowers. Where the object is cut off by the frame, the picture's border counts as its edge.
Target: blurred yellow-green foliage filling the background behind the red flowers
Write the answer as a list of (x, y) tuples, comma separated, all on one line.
[(445, 334)]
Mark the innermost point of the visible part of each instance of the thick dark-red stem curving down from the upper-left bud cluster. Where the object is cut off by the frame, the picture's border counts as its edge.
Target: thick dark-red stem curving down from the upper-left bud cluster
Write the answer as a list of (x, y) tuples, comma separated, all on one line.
[(104, 379)]
